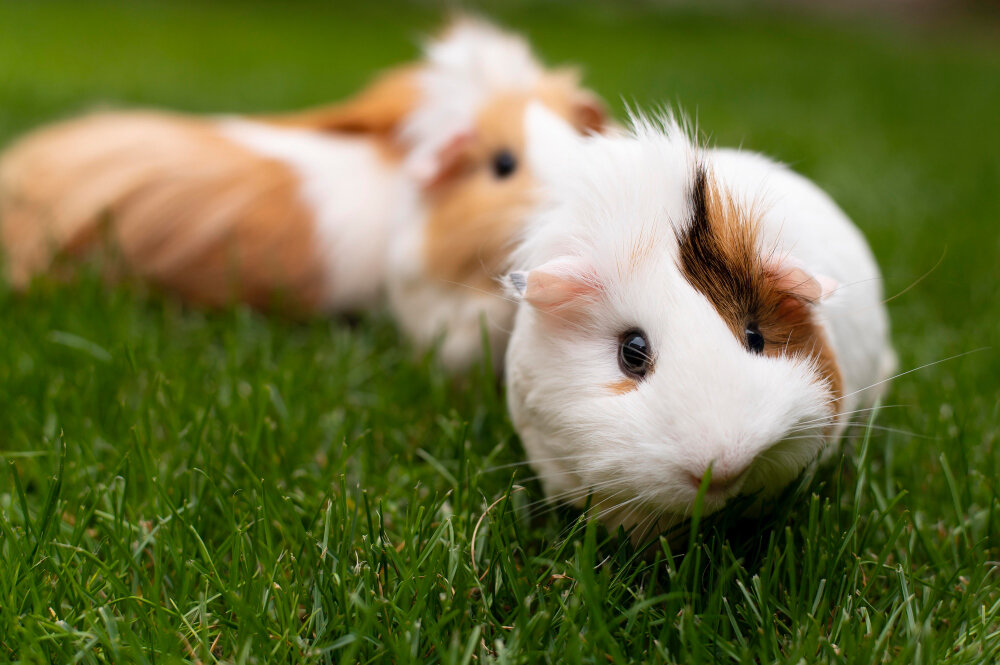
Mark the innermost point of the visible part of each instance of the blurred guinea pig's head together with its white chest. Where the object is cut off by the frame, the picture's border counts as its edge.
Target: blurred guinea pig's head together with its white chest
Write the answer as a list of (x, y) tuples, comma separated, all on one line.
[(468, 138)]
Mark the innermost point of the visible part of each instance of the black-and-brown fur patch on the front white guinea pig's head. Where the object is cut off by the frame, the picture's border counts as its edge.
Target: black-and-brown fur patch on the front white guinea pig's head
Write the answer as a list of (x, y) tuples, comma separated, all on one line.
[(721, 257)]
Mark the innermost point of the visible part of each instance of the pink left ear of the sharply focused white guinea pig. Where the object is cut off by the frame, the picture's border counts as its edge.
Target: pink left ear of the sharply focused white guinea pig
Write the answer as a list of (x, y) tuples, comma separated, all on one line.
[(562, 287)]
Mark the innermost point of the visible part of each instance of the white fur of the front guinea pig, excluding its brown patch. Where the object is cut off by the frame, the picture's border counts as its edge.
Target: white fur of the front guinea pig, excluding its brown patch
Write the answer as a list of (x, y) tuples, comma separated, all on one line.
[(708, 401)]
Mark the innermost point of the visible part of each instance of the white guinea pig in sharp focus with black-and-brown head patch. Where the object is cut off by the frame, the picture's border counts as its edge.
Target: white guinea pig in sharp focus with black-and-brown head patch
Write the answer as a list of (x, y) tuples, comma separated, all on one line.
[(685, 316)]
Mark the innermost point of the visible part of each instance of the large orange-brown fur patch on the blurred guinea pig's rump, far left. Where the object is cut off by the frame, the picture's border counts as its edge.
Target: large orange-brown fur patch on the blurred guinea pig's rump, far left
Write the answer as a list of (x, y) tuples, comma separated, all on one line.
[(179, 204)]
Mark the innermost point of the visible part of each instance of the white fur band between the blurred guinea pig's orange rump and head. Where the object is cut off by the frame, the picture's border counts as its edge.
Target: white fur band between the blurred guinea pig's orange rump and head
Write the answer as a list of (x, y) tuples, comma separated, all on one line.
[(356, 198)]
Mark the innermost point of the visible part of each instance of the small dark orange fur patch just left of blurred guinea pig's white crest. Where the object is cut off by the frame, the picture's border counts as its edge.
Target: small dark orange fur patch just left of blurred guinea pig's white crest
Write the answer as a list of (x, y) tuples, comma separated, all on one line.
[(377, 109)]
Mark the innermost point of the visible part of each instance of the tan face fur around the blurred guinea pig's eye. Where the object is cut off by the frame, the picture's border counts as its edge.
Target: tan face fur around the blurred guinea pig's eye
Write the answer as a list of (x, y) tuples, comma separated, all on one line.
[(475, 216)]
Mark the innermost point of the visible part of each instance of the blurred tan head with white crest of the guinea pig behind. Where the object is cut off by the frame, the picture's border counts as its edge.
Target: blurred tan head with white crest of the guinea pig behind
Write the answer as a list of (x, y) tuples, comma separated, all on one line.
[(466, 144)]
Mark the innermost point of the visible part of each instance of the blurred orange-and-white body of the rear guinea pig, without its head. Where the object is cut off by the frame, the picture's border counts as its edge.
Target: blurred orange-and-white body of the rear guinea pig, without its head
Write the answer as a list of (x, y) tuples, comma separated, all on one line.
[(215, 210)]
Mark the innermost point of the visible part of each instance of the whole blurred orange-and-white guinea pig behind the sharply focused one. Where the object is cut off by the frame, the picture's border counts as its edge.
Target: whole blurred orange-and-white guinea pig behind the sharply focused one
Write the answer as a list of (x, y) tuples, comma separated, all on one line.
[(299, 209)]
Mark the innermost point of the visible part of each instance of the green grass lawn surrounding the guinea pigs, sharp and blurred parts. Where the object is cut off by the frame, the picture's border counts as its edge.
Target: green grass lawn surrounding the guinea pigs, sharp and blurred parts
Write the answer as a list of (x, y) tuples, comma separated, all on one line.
[(188, 486)]
